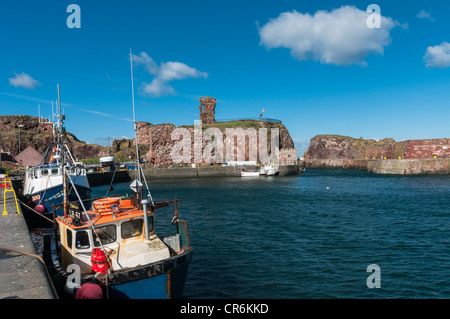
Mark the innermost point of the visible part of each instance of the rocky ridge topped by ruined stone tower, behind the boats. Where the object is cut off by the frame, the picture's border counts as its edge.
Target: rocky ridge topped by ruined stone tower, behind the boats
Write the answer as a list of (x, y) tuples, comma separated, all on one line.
[(155, 141)]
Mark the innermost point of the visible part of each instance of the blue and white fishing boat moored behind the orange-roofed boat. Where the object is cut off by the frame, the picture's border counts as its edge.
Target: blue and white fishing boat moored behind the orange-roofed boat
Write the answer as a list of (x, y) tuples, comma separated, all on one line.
[(43, 184)]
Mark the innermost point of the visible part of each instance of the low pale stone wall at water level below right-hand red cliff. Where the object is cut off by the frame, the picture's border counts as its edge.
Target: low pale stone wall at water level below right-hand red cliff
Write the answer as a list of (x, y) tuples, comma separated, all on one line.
[(438, 166)]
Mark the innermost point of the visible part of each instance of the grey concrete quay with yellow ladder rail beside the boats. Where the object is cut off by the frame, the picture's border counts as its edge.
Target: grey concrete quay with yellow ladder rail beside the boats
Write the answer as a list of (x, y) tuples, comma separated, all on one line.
[(22, 274)]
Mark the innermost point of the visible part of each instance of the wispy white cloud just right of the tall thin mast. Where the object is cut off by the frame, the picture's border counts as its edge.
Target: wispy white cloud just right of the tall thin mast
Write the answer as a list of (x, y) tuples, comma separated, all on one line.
[(166, 72)]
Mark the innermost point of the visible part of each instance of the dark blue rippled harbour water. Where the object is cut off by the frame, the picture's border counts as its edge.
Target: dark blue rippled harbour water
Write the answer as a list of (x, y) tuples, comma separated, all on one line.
[(313, 235)]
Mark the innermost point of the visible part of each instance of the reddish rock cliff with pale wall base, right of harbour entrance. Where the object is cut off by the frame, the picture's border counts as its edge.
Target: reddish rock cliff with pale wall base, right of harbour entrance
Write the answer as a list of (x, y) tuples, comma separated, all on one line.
[(387, 156)]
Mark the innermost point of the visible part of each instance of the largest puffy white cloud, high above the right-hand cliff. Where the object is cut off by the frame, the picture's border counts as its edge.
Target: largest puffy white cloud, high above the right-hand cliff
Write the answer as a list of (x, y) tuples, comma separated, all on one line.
[(339, 37)]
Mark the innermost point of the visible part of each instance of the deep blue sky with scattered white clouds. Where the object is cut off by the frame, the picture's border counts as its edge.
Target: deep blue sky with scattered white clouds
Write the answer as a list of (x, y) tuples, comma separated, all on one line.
[(311, 64)]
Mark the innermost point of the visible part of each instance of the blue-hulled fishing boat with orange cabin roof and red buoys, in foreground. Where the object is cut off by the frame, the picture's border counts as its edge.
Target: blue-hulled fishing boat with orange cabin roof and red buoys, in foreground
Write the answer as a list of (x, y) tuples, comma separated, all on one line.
[(114, 249)]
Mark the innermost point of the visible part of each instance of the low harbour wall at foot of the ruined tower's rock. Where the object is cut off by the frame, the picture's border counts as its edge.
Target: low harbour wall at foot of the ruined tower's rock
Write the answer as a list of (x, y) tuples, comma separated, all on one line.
[(105, 178)]
